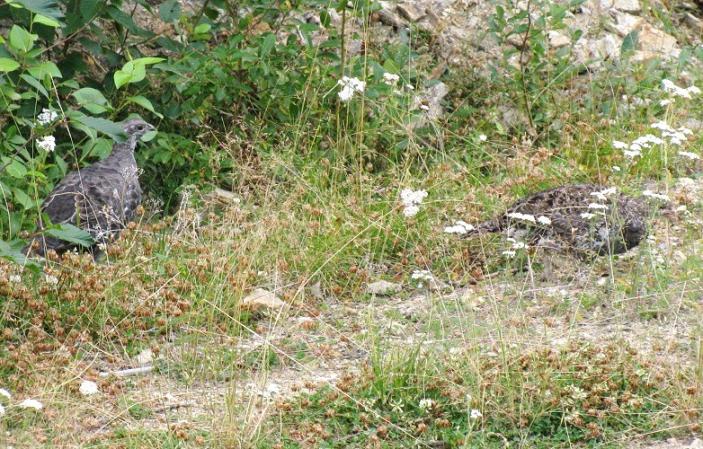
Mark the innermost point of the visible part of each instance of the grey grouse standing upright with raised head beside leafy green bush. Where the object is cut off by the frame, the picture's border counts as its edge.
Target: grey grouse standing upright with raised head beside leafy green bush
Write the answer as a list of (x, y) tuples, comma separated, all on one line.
[(100, 199)]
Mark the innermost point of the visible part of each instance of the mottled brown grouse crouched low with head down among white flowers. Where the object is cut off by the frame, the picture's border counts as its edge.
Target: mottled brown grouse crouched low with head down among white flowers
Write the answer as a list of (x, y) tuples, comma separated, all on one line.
[(584, 218)]
